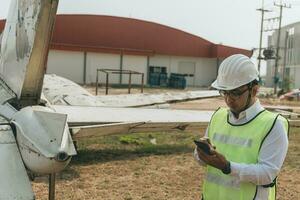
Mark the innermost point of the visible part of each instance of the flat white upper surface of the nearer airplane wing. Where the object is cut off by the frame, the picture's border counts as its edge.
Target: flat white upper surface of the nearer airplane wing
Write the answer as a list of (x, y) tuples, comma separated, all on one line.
[(85, 115)]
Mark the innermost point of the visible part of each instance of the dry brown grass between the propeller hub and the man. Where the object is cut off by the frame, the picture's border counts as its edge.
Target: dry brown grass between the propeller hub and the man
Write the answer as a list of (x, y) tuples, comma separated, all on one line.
[(111, 170)]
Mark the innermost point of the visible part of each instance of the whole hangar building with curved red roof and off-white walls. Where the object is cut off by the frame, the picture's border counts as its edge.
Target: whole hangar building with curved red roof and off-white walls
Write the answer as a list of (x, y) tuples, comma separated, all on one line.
[(81, 44)]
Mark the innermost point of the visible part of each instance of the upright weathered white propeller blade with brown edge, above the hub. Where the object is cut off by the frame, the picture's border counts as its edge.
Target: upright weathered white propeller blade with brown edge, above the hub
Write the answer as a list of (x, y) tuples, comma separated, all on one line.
[(24, 48)]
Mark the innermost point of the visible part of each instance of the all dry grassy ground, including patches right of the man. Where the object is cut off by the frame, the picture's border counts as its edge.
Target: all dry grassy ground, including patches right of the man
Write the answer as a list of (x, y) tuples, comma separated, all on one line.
[(103, 172)]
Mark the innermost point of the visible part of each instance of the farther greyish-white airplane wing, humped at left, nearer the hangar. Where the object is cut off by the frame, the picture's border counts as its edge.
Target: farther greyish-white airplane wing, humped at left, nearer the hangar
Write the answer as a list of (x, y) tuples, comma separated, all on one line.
[(60, 91)]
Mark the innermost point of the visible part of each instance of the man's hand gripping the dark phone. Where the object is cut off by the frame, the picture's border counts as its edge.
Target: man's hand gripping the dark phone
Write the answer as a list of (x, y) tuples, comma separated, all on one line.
[(216, 159)]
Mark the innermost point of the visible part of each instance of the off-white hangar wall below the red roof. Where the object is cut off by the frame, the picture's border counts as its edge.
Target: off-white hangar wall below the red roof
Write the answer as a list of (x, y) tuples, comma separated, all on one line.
[(71, 65)]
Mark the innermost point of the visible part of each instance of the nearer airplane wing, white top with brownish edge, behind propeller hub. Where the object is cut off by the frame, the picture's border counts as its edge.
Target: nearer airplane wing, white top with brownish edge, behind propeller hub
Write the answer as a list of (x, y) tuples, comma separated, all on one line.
[(87, 121)]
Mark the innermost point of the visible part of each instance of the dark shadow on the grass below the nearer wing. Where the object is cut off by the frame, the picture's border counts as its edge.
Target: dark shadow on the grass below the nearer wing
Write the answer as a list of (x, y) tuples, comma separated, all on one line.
[(91, 156)]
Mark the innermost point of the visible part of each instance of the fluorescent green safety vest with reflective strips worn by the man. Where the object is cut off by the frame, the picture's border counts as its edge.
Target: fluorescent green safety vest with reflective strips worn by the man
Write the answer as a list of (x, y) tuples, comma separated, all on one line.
[(240, 144)]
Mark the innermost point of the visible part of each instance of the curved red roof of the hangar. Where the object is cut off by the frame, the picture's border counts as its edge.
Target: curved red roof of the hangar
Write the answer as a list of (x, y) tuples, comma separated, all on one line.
[(110, 34)]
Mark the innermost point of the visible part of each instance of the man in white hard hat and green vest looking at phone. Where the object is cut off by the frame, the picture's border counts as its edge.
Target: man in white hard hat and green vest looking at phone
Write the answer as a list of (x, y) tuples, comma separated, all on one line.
[(247, 143)]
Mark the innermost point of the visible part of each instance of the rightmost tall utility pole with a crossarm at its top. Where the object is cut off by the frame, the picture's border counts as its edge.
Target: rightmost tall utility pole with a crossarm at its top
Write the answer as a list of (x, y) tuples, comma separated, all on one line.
[(276, 78)]
